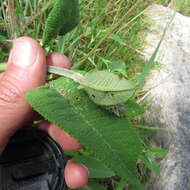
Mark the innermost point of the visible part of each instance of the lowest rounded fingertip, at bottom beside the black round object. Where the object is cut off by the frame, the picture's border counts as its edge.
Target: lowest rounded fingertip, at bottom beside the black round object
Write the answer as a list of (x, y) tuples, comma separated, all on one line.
[(76, 175)]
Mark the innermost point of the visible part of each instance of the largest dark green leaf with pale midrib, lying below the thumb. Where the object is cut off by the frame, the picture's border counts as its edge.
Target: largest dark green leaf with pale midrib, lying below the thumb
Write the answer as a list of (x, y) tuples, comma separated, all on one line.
[(112, 140)]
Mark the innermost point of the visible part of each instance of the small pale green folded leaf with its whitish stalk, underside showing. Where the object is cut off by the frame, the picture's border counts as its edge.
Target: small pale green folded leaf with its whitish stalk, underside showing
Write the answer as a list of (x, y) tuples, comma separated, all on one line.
[(102, 83)]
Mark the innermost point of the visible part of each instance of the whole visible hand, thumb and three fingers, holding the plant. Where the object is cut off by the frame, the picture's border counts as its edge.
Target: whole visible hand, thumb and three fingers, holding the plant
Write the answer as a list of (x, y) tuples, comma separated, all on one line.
[(27, 69)]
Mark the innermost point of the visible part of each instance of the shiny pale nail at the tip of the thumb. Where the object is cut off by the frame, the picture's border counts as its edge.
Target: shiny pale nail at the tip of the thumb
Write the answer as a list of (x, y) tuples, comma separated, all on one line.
[(23, 53)]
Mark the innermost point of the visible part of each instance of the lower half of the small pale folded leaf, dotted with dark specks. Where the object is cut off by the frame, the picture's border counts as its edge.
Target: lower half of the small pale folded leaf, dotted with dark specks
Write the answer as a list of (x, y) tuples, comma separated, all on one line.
[(104, 98)]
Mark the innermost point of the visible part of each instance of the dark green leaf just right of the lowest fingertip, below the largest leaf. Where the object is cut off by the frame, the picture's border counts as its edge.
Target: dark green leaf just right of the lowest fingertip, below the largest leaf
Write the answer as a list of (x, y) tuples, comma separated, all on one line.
[(96, 168)]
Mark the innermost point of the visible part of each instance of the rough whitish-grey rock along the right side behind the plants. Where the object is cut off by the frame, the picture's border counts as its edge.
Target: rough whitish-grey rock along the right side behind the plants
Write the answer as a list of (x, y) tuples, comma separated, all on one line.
[(169, 100)]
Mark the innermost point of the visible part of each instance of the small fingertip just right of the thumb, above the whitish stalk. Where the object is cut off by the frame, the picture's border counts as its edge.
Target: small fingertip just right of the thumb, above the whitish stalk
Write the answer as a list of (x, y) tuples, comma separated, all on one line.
[(59, 60)]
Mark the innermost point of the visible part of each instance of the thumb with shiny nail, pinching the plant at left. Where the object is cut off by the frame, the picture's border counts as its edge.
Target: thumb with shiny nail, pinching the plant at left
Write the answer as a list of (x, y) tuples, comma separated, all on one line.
[(26, 70)]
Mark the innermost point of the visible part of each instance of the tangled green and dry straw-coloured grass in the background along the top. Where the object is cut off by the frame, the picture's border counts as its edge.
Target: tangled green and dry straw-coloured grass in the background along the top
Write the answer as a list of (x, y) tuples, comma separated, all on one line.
[(98, 17)]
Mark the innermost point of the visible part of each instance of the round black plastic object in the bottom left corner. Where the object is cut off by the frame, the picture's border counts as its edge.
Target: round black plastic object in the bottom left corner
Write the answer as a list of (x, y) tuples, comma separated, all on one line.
[(32, 161)]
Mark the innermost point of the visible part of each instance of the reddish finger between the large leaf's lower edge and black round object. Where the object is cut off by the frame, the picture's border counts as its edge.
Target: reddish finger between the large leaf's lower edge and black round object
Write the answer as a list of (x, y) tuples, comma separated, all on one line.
[(67, 142)]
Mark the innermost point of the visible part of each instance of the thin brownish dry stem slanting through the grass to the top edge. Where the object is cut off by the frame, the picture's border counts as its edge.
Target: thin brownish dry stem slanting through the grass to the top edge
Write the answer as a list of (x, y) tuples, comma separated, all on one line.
[(134, 7)]
